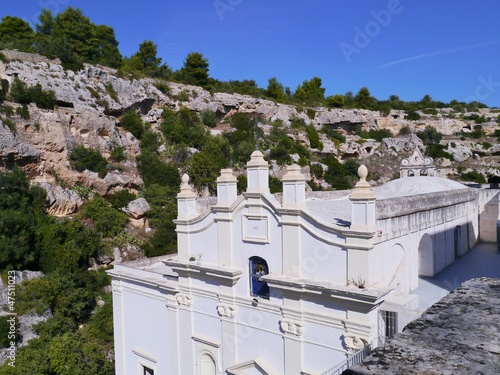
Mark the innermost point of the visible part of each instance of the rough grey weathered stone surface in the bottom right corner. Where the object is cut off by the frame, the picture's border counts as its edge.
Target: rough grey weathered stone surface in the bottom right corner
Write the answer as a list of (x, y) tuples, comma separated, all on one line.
[(458, 335)]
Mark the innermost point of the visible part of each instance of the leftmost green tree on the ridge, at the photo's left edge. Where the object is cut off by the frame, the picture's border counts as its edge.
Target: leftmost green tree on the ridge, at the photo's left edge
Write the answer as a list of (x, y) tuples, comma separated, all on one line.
[(16, 33)]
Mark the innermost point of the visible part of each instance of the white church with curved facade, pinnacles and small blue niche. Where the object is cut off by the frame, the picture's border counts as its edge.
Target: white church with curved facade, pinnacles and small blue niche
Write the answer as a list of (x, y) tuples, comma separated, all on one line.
[(292, 283)]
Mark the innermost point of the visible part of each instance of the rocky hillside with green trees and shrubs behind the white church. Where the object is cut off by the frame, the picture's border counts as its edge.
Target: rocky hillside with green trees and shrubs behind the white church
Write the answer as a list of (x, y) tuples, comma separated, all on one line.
[(85, 131)]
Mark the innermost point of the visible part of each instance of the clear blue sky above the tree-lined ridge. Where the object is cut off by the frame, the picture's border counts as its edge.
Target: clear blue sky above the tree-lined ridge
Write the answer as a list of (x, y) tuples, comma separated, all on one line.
[(449, 49)]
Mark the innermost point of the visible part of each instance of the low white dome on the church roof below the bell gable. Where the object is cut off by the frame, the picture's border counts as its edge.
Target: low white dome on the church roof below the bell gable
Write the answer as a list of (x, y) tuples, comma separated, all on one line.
[(416, 185)]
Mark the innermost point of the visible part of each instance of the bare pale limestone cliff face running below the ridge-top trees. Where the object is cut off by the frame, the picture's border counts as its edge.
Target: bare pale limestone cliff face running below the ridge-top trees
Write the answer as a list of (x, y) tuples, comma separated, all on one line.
[(91, 101)]
